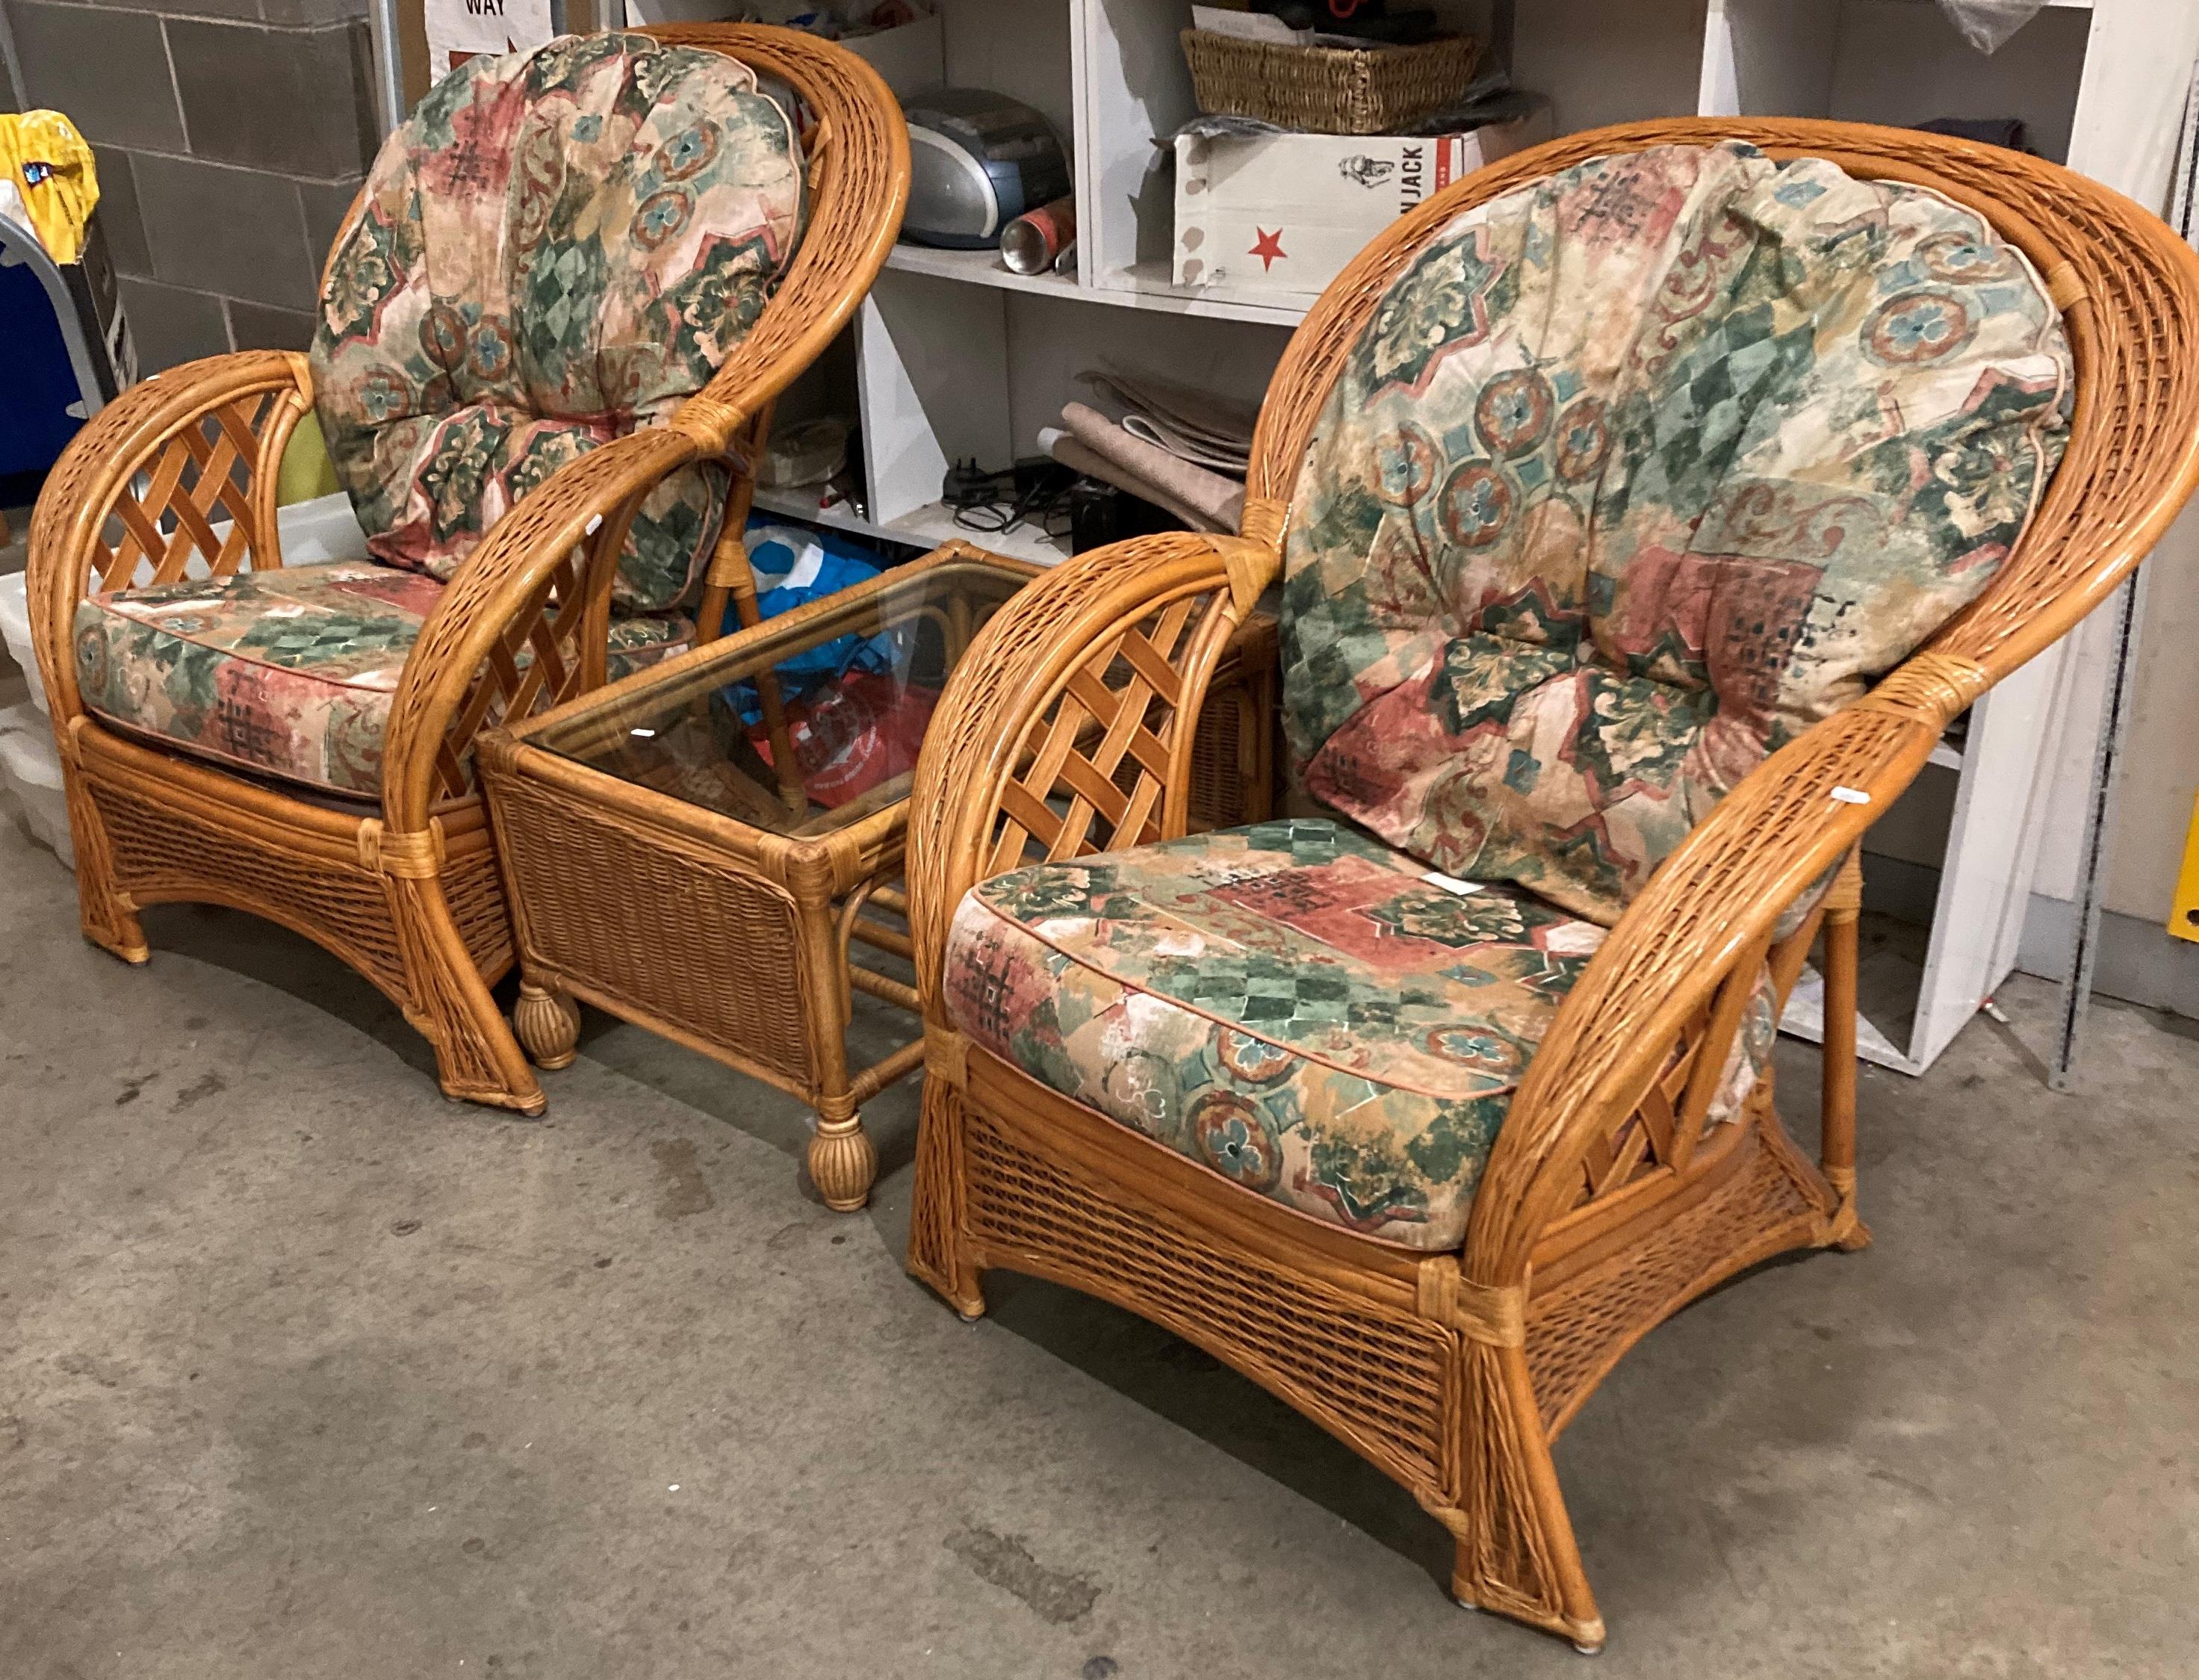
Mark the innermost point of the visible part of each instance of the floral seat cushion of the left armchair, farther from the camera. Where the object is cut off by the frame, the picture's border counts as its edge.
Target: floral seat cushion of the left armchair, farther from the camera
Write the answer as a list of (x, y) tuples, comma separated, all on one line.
[(289, 672)]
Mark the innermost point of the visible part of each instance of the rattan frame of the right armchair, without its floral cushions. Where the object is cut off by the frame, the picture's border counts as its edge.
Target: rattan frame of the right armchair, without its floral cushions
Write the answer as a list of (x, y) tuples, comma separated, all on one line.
[(1606, 1200)]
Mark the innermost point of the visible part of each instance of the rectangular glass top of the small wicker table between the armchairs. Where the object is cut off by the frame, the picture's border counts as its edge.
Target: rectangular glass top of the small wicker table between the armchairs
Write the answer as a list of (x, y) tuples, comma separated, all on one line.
[(808, 722)]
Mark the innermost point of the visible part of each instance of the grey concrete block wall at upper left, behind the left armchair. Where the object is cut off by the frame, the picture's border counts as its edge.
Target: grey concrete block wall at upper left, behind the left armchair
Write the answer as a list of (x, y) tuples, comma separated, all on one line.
[(230, 135)]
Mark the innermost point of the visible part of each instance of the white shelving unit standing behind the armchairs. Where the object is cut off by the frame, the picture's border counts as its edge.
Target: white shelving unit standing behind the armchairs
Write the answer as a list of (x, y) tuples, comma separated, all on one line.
[(958, 357)]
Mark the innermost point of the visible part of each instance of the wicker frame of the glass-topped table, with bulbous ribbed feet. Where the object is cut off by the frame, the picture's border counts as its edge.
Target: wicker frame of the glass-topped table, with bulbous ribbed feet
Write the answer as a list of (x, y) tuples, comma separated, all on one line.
[(731, 938)]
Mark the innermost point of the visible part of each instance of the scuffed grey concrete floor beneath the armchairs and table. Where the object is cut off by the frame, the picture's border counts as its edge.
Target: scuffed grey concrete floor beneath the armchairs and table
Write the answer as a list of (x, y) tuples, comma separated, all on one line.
[(311, 1373)]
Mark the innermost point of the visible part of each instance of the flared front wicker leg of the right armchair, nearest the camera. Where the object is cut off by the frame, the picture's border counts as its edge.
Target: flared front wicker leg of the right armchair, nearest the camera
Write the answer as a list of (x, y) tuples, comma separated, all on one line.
[(1516, 1551)]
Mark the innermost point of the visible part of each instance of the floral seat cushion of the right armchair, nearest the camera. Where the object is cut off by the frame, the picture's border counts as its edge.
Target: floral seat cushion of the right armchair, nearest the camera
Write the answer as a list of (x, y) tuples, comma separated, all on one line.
[(1294, 1006)]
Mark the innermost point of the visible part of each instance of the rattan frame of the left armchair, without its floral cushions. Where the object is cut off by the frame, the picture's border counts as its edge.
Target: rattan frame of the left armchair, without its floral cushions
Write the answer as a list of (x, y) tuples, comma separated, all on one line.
[(404, 885)]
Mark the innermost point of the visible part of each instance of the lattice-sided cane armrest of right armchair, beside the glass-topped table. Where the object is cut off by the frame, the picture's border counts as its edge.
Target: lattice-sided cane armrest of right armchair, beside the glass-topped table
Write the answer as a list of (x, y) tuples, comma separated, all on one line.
[(1085, 681)]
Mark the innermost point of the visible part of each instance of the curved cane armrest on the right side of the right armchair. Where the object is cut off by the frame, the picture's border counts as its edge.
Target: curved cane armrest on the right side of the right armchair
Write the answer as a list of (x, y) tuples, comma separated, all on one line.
[(1705, 911)]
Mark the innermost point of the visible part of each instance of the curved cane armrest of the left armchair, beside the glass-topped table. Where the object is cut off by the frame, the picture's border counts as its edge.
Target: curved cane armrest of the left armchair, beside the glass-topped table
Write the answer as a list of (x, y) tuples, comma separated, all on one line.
[(524, 623)]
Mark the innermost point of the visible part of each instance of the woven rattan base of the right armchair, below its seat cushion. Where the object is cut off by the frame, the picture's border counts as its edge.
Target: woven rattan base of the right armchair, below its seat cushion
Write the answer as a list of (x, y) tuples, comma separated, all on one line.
[(1364, 1338)]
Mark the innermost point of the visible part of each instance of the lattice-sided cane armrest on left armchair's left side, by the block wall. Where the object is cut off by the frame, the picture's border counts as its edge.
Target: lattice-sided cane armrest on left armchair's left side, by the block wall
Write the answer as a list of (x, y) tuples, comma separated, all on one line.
[(190, 450)]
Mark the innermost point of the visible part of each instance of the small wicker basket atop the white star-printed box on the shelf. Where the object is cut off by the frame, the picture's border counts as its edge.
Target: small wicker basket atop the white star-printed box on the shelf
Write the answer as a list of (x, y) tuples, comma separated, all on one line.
[(1327, 89)]
